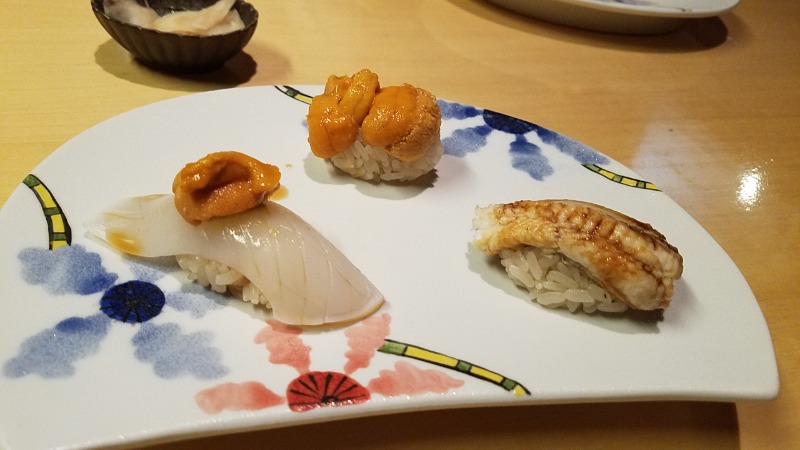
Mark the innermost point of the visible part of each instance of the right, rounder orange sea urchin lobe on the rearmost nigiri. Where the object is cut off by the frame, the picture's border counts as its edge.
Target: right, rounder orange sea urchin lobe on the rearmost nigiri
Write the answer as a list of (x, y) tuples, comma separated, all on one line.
[(403, 120)]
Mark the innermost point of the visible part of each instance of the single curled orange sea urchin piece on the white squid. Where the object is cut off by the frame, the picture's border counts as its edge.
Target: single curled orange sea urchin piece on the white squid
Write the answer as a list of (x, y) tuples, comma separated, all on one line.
[(223, 184)]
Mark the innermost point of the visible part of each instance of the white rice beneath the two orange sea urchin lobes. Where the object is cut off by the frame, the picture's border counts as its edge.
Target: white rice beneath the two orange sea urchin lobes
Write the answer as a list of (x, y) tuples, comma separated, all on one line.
[(372, 163)]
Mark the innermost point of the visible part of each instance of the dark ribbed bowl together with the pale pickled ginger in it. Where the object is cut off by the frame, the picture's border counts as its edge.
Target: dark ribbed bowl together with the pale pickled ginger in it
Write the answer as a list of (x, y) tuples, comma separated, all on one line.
[(188, 36)]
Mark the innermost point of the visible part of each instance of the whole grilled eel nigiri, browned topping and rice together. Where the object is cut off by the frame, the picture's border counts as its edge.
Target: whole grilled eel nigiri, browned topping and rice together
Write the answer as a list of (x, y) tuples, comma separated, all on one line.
[(578, 255)]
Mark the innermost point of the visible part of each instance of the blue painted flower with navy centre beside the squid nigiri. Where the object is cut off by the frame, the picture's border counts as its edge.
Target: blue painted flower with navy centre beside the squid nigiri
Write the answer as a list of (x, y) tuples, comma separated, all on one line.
[(71, 269)]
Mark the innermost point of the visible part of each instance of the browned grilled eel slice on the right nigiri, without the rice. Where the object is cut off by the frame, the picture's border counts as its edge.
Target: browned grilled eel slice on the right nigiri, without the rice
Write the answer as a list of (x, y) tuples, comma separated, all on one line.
[(626, 257)]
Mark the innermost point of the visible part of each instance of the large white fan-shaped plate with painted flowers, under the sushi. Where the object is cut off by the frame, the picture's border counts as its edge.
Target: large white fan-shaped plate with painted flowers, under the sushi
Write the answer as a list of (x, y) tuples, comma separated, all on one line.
[(72, 376)]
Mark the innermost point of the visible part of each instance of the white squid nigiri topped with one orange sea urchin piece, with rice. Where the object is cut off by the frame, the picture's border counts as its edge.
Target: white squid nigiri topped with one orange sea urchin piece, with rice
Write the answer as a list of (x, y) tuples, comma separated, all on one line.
[(222, 228)]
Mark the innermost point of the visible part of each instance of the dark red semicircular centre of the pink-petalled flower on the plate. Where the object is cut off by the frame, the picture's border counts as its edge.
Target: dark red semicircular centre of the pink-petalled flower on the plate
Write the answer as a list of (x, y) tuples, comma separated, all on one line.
[(319, 389)]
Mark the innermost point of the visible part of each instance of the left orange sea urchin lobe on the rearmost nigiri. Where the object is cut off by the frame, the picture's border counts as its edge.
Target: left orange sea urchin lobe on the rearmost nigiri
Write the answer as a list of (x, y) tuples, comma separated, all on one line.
[(335, 116)]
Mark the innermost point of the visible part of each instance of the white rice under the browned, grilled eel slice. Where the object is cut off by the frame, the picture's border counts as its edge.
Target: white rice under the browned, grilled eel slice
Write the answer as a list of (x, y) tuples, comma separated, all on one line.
[(555, 281)]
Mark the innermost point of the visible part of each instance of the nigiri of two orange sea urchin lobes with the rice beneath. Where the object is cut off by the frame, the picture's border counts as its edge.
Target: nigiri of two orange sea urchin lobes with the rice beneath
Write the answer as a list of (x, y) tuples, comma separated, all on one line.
[(374, 133)]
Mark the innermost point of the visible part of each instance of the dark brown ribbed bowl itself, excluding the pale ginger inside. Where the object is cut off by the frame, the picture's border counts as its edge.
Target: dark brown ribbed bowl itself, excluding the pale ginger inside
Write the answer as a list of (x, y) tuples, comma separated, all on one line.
[(176, 52)]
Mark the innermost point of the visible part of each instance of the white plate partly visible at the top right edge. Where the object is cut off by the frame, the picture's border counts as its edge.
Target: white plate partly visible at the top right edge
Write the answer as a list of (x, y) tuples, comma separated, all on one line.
[(620, 16)]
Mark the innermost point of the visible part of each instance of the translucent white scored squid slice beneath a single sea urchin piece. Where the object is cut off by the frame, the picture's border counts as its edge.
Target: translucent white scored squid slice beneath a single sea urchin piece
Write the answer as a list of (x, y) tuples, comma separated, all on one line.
[(306, 280)]
